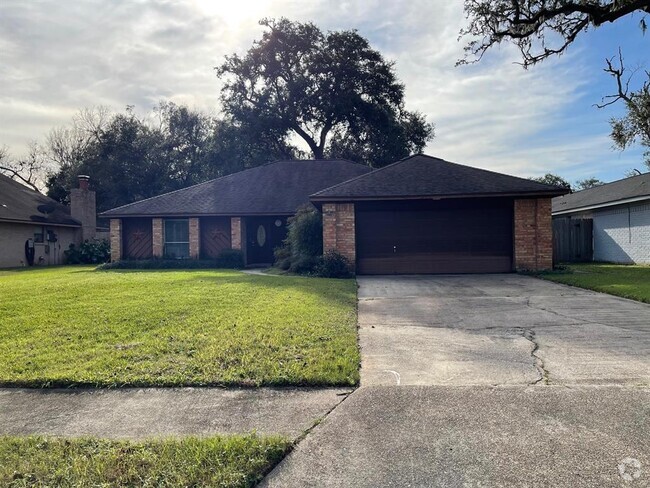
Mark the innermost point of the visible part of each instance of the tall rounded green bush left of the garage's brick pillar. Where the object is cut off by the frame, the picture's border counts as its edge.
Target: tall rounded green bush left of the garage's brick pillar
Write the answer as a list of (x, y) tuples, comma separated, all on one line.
[(301, 250)]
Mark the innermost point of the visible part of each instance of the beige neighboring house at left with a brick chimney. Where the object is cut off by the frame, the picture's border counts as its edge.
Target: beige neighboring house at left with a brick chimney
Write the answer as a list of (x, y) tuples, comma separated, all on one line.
[(37, 227)]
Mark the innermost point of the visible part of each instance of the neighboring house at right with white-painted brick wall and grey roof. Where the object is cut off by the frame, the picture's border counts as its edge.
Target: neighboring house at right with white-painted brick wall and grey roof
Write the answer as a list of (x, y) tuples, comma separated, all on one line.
[(620, 213)]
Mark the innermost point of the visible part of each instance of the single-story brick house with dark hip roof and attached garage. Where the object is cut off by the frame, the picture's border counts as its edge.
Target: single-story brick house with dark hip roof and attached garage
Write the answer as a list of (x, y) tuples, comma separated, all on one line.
[(419, 215)]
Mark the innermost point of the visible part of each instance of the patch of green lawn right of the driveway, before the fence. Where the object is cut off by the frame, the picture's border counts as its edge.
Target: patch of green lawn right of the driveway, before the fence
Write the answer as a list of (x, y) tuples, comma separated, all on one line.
[(622, 280)]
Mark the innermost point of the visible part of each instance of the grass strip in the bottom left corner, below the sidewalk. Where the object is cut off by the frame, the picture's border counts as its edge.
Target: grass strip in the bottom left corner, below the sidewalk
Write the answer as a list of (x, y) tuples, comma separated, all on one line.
[(223, 461)]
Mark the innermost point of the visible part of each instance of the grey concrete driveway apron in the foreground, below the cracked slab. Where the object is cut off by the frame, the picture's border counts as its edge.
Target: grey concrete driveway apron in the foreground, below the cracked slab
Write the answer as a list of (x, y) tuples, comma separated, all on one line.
[(536, 436)]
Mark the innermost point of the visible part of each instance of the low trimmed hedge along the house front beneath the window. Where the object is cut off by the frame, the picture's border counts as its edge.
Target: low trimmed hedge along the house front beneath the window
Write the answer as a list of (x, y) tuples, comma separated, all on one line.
[(227, 259)]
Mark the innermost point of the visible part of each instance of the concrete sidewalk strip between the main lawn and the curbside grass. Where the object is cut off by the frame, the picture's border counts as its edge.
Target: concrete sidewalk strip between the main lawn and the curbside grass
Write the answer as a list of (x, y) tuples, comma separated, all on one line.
[(134, 413)]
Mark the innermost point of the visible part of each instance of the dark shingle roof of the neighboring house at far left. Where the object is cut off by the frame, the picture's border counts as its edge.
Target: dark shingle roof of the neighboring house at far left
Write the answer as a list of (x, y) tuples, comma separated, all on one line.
[(21, 204)]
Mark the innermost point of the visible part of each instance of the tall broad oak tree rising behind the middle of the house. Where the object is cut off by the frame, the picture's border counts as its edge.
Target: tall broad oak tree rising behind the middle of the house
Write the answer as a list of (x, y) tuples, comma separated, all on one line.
[(332, 90)]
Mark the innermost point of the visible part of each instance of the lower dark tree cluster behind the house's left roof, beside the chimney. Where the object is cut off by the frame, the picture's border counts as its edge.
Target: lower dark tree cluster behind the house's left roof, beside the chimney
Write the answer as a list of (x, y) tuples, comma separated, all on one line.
[(130, 158)]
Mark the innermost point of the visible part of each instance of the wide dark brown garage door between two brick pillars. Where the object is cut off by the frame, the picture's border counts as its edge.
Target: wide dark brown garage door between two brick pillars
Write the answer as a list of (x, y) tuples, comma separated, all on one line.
[(427, 236)]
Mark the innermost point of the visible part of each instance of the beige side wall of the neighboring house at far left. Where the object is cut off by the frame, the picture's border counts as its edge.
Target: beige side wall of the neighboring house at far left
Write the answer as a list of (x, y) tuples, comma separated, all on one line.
[(12, 244)]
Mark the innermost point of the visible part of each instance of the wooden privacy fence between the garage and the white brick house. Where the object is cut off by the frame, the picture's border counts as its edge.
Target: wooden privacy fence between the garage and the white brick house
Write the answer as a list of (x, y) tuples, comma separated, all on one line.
[(572, 240)]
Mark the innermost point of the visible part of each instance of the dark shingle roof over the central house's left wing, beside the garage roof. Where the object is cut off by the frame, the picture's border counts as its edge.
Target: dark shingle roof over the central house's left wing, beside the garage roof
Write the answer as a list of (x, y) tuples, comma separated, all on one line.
[(273, 189)]
